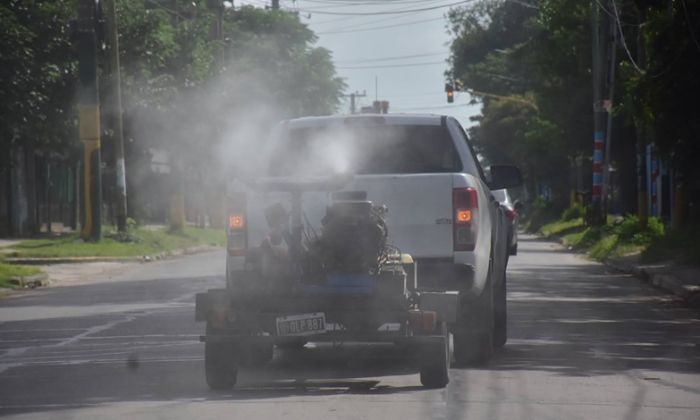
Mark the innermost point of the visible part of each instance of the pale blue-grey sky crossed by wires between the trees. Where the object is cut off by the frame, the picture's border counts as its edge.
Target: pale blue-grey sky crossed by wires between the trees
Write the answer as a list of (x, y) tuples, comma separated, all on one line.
[(392, 50)]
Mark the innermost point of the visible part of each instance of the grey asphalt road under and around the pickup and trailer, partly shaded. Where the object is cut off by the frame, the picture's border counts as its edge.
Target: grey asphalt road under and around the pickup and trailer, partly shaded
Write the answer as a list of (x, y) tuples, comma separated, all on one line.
[(583, 344)]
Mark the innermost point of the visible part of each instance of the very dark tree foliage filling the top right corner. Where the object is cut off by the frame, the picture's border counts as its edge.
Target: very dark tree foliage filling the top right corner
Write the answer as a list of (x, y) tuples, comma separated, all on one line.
[(660, 86)]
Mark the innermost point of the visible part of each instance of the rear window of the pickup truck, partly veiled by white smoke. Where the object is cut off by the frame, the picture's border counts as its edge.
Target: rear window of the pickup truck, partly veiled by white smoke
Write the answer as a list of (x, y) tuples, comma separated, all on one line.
[(376, 149)]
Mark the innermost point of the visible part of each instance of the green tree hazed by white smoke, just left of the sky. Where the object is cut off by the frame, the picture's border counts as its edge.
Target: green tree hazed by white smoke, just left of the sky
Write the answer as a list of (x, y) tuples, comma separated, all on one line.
[(208, 97)]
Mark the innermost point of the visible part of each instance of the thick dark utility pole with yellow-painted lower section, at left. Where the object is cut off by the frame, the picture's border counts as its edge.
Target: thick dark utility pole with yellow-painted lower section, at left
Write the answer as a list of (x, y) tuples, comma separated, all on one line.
[(89, 120)]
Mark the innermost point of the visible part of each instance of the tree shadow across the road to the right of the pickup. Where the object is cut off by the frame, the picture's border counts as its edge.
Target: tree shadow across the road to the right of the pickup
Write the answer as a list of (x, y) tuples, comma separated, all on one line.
[(571, 317)]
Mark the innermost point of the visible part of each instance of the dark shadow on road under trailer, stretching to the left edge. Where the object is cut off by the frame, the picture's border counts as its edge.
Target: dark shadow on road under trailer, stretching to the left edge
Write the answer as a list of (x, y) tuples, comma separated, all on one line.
[(320, 371)]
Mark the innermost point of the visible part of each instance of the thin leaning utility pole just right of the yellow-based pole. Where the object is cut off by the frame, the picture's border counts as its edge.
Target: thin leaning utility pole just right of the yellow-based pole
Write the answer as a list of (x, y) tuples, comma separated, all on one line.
[(115, 90)]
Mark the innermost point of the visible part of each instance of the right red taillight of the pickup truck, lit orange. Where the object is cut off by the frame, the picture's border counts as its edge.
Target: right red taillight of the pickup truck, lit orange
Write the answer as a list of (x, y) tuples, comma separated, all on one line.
[(465, 205)]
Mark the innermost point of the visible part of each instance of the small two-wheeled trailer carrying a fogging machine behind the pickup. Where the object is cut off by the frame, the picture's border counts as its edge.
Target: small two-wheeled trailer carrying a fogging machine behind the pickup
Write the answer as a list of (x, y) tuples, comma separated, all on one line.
[(344, 284)]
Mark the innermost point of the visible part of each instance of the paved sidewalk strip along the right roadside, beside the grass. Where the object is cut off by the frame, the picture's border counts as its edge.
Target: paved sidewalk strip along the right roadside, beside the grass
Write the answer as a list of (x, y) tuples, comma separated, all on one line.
[(680, 280)]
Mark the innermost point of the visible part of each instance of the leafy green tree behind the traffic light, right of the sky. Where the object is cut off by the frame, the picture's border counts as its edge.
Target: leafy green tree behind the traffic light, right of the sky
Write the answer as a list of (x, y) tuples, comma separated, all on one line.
[(535, 59)]
